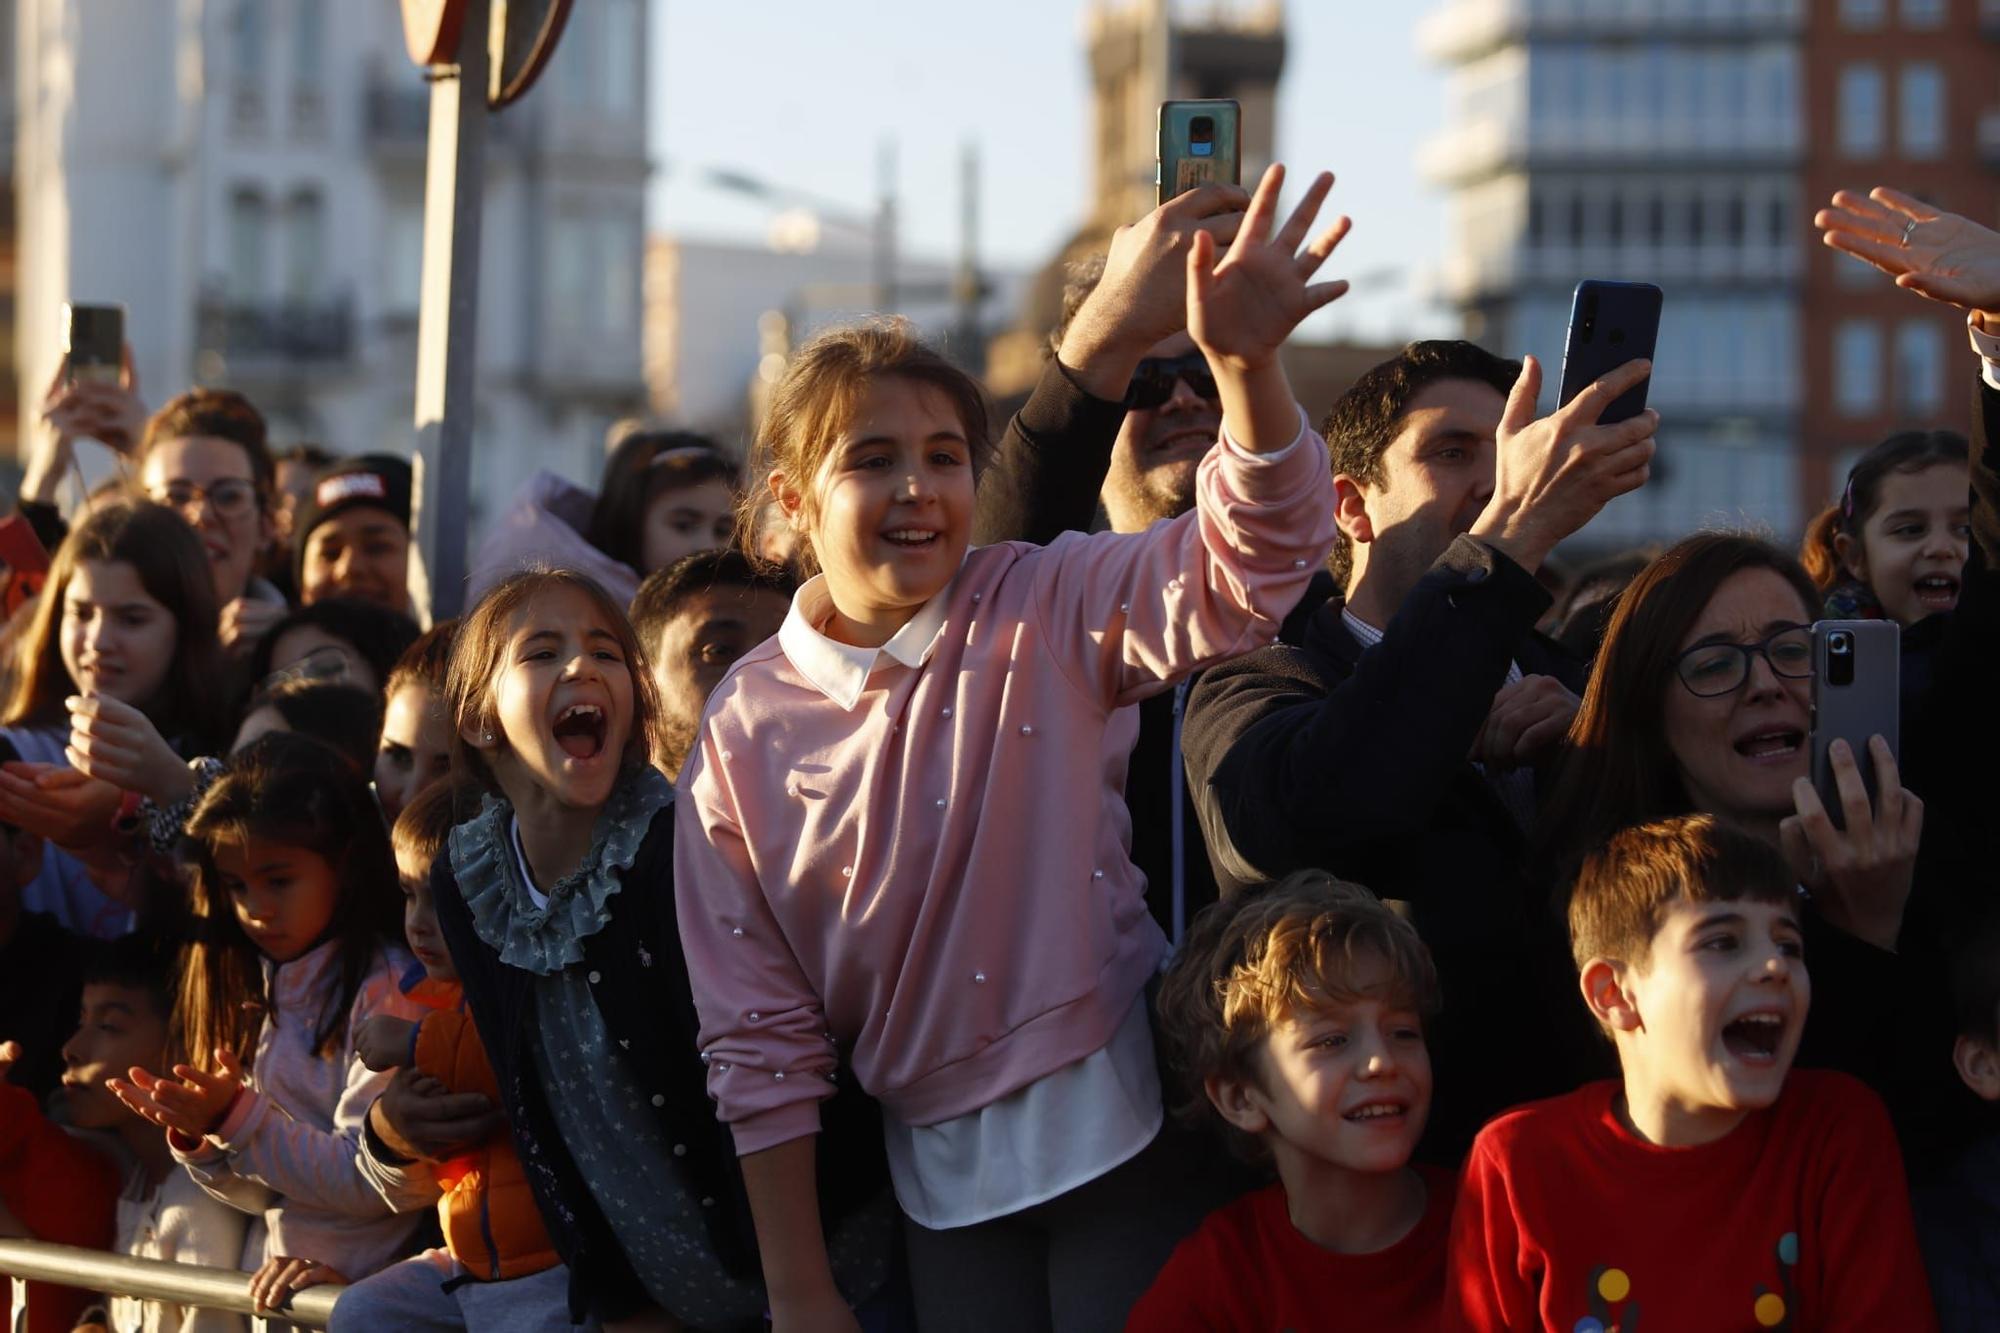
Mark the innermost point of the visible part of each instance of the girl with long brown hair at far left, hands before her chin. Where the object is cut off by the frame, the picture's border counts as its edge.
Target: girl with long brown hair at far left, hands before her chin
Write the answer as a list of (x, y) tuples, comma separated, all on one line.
[(113, 690)]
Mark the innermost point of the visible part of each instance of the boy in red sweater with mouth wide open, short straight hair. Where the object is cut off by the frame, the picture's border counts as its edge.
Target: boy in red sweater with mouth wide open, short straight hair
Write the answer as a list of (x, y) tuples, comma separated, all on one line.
[(1707, 1188)]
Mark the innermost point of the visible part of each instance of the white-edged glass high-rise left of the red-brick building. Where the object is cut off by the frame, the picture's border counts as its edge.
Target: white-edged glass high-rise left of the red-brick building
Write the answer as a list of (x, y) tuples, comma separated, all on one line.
[(1657, 143)]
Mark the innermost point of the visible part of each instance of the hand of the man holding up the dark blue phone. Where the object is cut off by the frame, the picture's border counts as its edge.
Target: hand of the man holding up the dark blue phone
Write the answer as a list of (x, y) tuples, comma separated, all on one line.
[(1555, 473)]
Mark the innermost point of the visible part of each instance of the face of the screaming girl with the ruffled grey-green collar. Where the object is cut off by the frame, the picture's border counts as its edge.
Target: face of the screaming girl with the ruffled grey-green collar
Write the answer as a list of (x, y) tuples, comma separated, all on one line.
[(563, 702)]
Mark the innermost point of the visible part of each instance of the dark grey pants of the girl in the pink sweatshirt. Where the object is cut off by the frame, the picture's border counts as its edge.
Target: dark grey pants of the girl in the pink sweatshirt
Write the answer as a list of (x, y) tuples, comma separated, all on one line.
[(1071, 1266)]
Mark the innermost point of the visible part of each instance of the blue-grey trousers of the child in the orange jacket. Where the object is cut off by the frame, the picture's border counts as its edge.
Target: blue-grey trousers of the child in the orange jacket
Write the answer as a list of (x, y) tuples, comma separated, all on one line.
[(411, 1296)]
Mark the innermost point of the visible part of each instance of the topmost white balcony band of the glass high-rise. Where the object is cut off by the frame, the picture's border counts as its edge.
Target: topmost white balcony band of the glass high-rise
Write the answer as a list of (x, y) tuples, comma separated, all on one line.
[(1471, 29)]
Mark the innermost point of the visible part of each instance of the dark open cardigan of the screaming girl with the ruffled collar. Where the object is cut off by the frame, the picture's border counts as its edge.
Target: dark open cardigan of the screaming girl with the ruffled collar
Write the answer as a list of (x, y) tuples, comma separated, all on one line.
[(641, 980)]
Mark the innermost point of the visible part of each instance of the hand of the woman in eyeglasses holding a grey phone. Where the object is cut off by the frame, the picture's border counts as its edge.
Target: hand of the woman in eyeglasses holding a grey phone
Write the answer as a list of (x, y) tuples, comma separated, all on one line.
[(1861, 876)]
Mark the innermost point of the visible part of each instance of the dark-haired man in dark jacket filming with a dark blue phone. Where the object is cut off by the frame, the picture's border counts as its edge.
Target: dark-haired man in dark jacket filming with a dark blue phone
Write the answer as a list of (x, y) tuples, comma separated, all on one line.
[(1395, 740)]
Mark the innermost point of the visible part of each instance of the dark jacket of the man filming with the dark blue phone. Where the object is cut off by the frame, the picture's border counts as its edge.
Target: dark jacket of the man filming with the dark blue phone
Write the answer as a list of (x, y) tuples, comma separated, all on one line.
[(1329, 758)]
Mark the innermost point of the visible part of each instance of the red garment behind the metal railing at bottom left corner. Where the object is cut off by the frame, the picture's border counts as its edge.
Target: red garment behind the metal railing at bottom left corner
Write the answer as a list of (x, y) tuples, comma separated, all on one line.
[(61, 1190)]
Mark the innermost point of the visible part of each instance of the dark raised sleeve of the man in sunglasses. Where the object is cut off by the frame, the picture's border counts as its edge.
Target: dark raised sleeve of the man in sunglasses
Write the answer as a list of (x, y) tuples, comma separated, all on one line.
[(1051, 465)]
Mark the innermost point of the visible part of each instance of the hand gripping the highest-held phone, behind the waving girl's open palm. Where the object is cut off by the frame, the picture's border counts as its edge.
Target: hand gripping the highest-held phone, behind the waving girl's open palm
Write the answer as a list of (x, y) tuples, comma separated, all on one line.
[(1143, 295)]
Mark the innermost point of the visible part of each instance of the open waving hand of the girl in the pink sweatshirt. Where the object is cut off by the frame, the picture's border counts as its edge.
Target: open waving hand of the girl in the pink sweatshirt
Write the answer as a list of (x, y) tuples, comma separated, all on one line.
[(1243, 307)]
